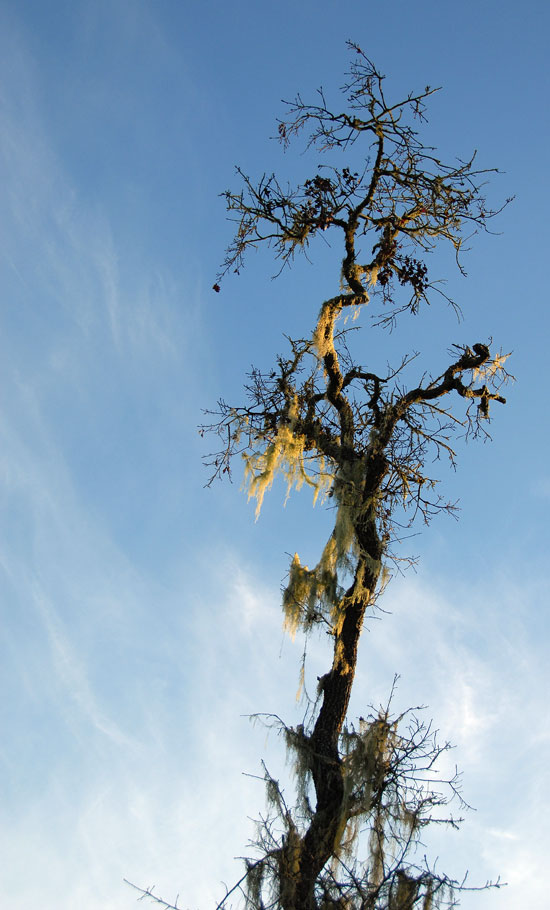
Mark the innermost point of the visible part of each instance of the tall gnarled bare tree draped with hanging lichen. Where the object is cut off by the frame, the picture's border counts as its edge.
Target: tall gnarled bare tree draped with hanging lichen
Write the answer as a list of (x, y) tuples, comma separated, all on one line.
[(366, 443)]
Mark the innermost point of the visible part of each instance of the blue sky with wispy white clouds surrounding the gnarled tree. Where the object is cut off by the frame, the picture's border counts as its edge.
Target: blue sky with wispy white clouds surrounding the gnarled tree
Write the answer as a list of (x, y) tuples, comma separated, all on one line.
[(140, 614)]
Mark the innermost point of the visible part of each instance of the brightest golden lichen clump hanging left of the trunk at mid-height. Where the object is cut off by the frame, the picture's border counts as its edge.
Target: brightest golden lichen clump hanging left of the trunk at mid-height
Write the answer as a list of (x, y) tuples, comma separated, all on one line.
[(285, 454)]
